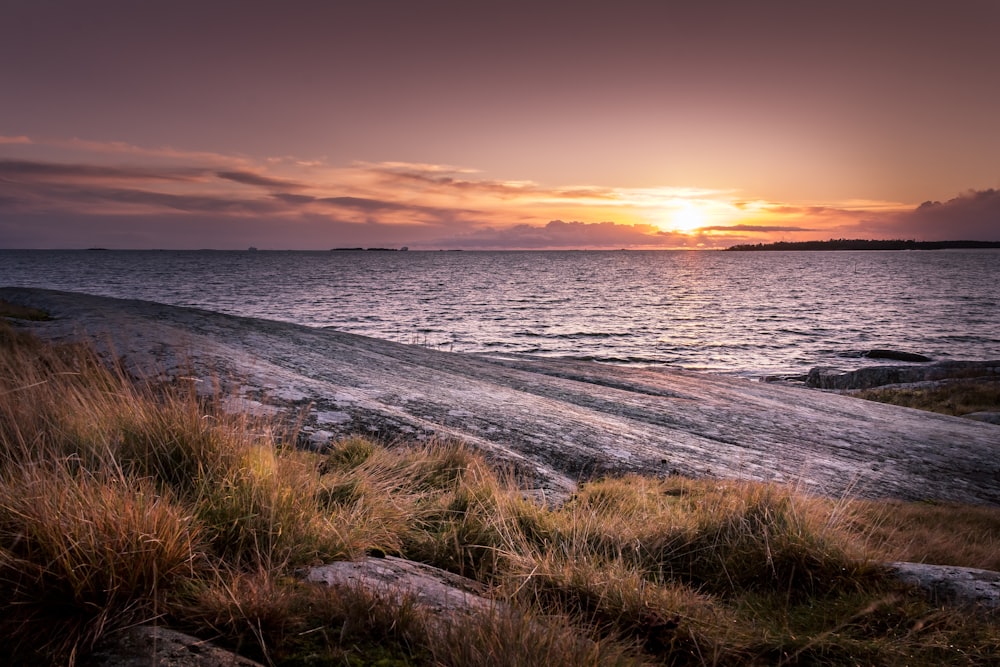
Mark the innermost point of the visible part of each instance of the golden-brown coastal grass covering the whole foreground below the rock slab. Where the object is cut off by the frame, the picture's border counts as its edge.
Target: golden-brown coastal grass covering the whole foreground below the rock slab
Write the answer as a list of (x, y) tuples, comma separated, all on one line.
[(125, 501)]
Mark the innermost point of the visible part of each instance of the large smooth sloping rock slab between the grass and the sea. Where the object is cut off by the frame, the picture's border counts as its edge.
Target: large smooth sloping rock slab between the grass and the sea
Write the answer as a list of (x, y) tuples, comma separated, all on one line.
[(558, 420)]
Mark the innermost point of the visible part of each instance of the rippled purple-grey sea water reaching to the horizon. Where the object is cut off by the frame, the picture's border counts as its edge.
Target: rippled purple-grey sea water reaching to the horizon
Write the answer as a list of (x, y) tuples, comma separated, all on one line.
[(753, 314)]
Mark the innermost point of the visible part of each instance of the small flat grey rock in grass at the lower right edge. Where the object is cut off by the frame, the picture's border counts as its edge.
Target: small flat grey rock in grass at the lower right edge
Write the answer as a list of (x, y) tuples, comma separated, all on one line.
[(958, 586)]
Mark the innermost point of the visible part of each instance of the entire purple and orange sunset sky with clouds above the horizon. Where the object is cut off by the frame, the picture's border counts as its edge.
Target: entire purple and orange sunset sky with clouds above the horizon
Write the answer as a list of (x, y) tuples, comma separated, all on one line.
[(308, 124)]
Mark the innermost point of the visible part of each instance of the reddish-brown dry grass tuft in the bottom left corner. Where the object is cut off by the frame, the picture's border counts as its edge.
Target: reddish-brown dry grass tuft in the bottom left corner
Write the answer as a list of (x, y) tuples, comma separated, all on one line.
[(86, 553)]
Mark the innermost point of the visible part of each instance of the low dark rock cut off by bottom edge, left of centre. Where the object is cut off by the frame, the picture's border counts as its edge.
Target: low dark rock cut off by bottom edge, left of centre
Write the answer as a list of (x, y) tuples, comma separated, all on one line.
[(146, 646)]
